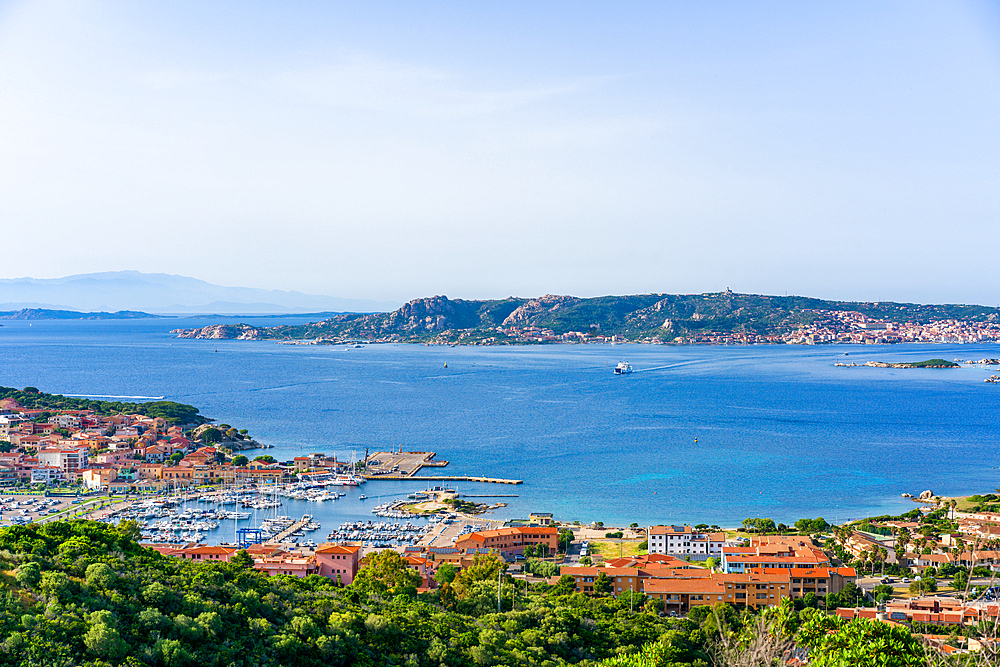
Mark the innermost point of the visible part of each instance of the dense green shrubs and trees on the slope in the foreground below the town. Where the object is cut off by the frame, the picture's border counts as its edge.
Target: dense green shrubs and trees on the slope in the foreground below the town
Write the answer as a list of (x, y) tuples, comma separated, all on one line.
[(85, 593)]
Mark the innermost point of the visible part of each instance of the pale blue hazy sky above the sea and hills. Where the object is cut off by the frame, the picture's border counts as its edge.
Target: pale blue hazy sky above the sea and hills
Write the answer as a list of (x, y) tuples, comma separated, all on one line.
[(479, 150)]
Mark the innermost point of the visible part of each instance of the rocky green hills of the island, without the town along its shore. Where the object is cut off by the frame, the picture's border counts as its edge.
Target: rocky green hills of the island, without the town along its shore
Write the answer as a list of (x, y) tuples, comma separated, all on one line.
[(663, 317)]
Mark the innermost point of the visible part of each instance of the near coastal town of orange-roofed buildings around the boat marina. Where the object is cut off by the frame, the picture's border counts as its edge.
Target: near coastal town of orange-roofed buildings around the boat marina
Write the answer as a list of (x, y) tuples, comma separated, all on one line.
[(862, 569)]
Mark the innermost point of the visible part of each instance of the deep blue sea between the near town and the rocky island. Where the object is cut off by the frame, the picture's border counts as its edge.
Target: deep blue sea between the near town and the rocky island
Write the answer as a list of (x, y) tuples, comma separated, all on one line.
[(709, 434)]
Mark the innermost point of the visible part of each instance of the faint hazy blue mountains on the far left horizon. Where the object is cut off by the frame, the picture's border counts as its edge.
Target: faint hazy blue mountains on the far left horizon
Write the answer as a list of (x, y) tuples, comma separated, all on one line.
[(165, 294)]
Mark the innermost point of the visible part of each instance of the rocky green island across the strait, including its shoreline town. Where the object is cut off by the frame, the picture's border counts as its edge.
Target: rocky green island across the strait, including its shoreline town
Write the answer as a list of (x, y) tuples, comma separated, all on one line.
[(714, 318)]
